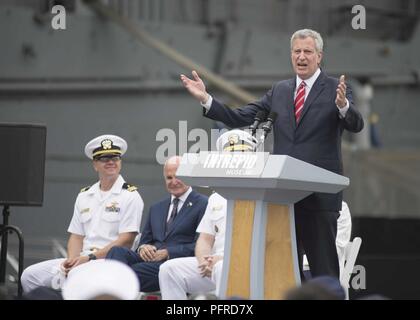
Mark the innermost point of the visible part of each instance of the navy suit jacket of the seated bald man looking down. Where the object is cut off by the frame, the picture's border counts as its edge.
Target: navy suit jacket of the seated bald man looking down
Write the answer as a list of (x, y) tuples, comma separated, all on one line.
[(180, 239)]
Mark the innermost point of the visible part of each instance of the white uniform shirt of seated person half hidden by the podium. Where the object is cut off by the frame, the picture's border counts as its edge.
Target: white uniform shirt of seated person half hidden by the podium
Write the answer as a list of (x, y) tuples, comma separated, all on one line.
[(214, 222)]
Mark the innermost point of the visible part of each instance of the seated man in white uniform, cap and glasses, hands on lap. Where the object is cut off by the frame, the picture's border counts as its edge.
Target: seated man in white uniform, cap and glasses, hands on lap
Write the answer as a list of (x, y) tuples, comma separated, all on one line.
[(106, 214)]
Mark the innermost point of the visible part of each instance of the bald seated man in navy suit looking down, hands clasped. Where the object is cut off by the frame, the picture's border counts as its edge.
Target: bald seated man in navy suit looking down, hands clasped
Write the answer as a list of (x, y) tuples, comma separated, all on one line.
[(169, 232)]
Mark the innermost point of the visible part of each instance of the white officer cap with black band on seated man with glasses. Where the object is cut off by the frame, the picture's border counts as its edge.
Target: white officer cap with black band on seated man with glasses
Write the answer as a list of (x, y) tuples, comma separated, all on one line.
[(105, 145)]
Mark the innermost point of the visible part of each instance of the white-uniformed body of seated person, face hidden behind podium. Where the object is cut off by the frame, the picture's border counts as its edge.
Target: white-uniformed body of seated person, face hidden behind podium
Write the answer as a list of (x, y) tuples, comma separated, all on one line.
[(201, 273)]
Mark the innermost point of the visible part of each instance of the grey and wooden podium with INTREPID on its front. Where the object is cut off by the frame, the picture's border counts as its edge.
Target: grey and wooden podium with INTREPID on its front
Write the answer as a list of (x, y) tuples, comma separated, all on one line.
[(260, 255)]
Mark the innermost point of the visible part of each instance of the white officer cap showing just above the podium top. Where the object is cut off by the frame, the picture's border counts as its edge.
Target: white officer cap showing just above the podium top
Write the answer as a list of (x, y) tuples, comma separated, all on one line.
[(236, 140)]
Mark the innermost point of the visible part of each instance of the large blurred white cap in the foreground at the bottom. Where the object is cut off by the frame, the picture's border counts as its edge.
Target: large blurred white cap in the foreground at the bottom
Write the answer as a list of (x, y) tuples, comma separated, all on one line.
[(98, 278)]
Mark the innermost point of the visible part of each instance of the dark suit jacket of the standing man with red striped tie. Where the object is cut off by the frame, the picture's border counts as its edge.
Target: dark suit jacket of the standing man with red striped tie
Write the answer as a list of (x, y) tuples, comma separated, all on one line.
[(316, 139)]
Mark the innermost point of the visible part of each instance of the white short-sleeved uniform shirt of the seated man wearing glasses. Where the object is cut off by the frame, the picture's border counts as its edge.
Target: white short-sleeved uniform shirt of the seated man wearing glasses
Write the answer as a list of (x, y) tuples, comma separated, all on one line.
[(101, 220)]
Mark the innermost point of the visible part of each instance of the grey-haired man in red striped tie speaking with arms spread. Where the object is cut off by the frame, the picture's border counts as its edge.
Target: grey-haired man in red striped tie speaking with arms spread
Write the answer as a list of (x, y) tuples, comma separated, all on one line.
[(313, 110)]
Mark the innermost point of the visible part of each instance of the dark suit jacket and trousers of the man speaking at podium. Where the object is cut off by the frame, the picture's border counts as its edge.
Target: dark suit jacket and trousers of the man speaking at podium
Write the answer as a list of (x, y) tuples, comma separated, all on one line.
[(316, 139)]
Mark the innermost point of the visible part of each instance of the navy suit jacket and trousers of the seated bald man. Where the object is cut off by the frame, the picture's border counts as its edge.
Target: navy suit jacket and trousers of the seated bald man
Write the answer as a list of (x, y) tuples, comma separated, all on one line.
[(179, 240)]
